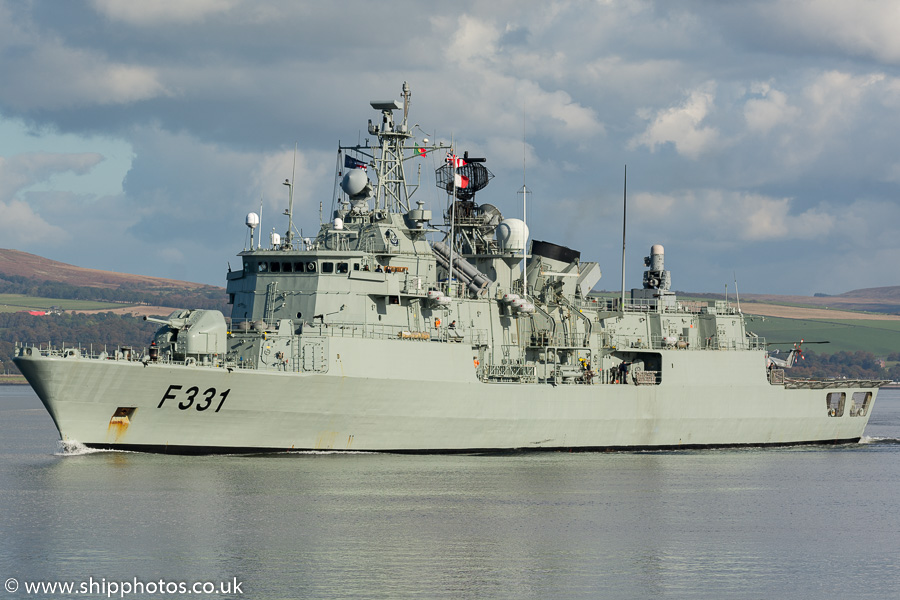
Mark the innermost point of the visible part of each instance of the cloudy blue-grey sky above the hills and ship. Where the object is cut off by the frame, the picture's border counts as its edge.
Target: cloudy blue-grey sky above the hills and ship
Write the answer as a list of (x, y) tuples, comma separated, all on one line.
[(761, 137)]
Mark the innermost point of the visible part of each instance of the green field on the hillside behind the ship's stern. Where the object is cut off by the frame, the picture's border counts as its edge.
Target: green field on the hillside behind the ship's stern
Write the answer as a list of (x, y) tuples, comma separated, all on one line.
[(878, 337)]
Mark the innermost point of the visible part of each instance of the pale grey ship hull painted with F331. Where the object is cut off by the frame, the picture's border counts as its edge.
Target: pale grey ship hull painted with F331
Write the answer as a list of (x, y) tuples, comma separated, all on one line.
[(435, 403)]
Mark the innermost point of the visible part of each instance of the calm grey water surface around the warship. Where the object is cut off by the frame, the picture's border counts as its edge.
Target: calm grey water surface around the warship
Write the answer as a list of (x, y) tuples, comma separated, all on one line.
[(811, 522)]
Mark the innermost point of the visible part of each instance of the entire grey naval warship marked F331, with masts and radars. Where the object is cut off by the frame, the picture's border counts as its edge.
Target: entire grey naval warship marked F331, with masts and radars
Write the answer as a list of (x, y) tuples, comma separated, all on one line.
[(388, 332)]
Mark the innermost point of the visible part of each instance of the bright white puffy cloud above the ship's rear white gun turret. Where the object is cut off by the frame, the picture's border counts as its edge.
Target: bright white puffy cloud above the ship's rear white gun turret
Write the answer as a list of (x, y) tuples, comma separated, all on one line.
[(682, 125)]
